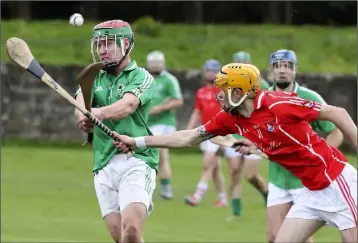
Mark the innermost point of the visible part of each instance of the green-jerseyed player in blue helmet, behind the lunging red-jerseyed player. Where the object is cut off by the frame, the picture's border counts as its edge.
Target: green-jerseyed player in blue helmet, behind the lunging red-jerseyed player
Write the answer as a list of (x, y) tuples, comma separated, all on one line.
[(284, 187)]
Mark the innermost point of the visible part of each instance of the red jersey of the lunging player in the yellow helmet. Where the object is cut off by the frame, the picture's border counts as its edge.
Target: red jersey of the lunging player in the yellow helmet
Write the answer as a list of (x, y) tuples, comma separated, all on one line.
[(279, 126)]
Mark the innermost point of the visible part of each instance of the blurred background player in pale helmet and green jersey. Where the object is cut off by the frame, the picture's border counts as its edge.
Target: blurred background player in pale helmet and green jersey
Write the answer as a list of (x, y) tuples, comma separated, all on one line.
[(162, 119)]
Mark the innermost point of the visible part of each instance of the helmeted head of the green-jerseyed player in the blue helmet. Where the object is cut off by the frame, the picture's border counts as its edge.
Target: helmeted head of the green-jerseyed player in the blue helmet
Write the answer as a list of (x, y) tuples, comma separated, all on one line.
[(283, 67)]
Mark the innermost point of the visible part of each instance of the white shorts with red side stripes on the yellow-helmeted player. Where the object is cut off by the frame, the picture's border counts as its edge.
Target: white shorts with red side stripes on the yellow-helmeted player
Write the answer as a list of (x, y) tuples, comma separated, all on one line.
[(336, 204)]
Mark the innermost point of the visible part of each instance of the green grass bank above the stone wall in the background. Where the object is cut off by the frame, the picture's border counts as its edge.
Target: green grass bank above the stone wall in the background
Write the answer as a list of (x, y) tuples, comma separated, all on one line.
[(319, 49)]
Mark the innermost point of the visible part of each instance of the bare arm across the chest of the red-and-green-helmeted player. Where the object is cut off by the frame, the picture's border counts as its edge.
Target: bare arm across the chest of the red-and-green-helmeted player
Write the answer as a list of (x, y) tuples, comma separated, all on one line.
[(119, 109)]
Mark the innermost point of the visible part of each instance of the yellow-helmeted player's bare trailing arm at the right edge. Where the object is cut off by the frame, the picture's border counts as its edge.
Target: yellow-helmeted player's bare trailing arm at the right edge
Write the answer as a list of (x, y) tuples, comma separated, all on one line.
[(342, 120)]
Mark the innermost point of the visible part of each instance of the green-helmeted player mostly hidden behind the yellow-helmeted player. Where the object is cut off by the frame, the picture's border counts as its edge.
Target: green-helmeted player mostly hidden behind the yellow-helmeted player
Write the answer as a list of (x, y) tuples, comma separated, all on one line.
[(250, 162)]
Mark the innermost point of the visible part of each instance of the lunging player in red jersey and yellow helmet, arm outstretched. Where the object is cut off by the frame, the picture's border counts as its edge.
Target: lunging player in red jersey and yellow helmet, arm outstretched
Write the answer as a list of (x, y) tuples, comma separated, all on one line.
[(278, 124)]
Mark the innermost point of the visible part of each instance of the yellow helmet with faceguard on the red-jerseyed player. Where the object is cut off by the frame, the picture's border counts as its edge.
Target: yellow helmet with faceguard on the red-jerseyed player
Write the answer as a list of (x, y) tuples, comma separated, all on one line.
[(244, 76)]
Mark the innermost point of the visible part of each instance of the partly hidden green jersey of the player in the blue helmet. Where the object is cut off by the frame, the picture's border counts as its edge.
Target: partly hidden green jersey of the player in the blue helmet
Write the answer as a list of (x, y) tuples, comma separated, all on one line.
[(278, 175)]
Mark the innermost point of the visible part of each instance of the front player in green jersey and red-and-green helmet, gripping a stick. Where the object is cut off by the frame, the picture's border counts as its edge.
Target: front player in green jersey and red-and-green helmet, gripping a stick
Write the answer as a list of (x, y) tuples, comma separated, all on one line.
[(122, 93)]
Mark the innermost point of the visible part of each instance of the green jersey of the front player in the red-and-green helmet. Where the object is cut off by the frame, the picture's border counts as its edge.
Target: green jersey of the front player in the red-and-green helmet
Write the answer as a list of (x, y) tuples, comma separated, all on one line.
[(107, 89)]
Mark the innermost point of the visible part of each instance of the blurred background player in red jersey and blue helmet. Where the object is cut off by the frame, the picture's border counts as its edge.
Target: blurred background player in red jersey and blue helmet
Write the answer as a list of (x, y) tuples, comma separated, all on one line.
[(206, 107)]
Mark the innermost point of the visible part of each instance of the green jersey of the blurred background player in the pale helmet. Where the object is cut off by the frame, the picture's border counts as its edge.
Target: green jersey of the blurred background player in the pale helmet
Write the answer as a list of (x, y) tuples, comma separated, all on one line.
[(166, 87)]
